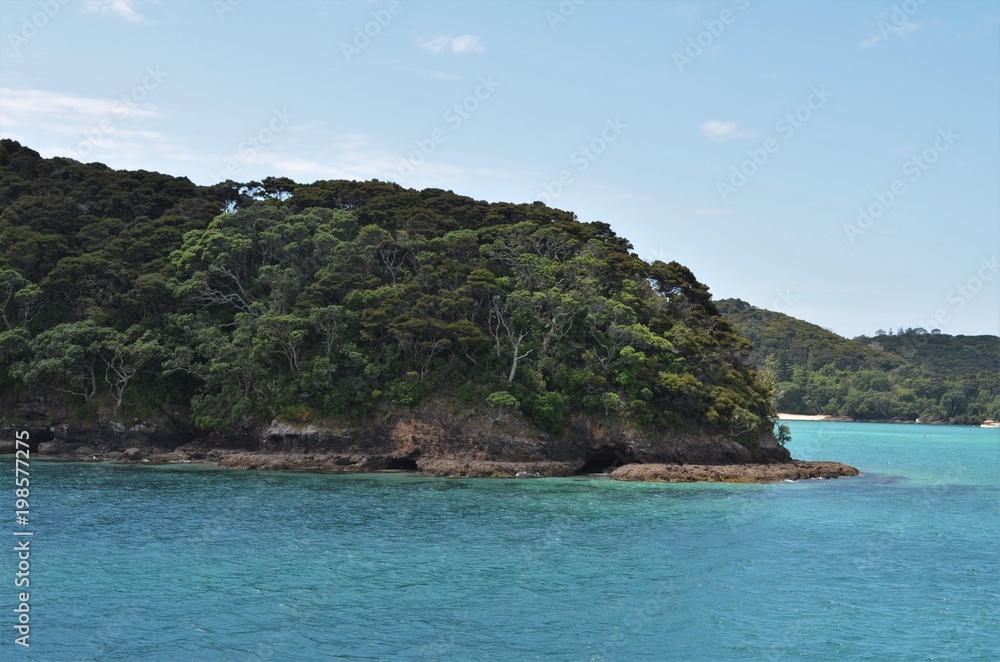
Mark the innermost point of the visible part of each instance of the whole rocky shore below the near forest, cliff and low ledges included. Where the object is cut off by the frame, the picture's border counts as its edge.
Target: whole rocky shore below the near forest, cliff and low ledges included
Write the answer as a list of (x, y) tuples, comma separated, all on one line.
[(434, 442)]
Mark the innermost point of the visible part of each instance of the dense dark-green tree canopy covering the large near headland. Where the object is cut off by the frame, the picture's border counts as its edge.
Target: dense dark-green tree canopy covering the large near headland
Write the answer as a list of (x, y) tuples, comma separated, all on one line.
[(131, 293)]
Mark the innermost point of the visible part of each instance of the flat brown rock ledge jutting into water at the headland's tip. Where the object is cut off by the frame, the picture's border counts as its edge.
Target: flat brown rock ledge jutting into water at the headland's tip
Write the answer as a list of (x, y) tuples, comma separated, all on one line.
[(732, 473)]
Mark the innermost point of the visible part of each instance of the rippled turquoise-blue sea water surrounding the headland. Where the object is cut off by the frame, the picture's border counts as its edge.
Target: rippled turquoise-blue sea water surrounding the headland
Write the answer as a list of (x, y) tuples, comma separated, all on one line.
[(195, 563)]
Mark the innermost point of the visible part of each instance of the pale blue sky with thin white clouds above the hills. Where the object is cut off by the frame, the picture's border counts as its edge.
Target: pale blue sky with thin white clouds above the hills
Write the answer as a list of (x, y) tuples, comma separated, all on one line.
[(836, 161)]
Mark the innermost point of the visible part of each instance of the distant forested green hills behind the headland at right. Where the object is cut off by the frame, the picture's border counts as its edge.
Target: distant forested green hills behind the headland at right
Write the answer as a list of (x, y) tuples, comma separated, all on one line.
[(903, 375)]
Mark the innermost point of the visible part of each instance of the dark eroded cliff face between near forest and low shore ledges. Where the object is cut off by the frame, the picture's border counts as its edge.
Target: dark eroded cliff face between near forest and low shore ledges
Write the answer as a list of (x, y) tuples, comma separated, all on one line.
[(428, 436)]
